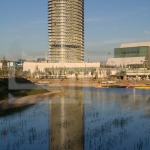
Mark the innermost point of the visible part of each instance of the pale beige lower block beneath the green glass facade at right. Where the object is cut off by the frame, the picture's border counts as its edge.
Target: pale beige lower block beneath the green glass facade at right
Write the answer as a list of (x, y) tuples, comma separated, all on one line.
[(125, 61)]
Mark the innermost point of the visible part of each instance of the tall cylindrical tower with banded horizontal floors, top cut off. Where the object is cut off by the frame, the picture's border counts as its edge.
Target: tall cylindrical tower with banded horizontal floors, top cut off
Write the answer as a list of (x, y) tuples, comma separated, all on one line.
[(66, 31)]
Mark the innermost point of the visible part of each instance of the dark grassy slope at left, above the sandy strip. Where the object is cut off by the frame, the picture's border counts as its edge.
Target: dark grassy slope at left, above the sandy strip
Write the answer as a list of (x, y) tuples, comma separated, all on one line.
[(18, 87)]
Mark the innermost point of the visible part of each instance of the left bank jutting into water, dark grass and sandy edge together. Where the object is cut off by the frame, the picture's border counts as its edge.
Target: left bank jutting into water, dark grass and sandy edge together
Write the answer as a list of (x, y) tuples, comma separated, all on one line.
[(18, 92)]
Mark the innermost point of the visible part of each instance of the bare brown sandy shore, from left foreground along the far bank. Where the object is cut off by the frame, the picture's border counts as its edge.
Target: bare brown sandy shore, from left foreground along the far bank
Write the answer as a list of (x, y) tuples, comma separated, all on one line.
[(55, 91)]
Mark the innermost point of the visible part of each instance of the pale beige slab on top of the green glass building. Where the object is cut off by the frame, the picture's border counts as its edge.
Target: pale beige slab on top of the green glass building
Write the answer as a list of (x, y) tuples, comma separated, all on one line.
[(135, 44)]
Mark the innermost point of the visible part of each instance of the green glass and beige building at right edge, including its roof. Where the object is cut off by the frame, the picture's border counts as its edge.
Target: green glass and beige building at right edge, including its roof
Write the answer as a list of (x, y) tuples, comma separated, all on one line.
[(131, 54)]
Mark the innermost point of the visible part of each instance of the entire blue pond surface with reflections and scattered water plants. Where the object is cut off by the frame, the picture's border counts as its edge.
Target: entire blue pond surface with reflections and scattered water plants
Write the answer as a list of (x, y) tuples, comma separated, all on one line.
[(84, 119)]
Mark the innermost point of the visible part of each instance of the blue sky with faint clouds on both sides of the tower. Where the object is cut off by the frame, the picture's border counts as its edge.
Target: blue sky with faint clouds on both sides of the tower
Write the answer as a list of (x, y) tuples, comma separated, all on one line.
[(108, 23)]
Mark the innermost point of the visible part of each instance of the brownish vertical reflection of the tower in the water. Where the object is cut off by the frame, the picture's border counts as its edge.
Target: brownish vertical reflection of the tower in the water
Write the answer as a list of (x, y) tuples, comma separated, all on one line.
[(66, 123)]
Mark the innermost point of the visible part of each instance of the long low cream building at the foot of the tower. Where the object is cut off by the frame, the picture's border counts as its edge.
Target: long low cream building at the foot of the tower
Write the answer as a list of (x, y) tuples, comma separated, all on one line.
[(59, 69)]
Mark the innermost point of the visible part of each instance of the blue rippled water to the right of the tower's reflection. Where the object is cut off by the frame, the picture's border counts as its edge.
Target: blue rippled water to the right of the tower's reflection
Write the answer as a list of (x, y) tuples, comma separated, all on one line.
[(113, 120)]
